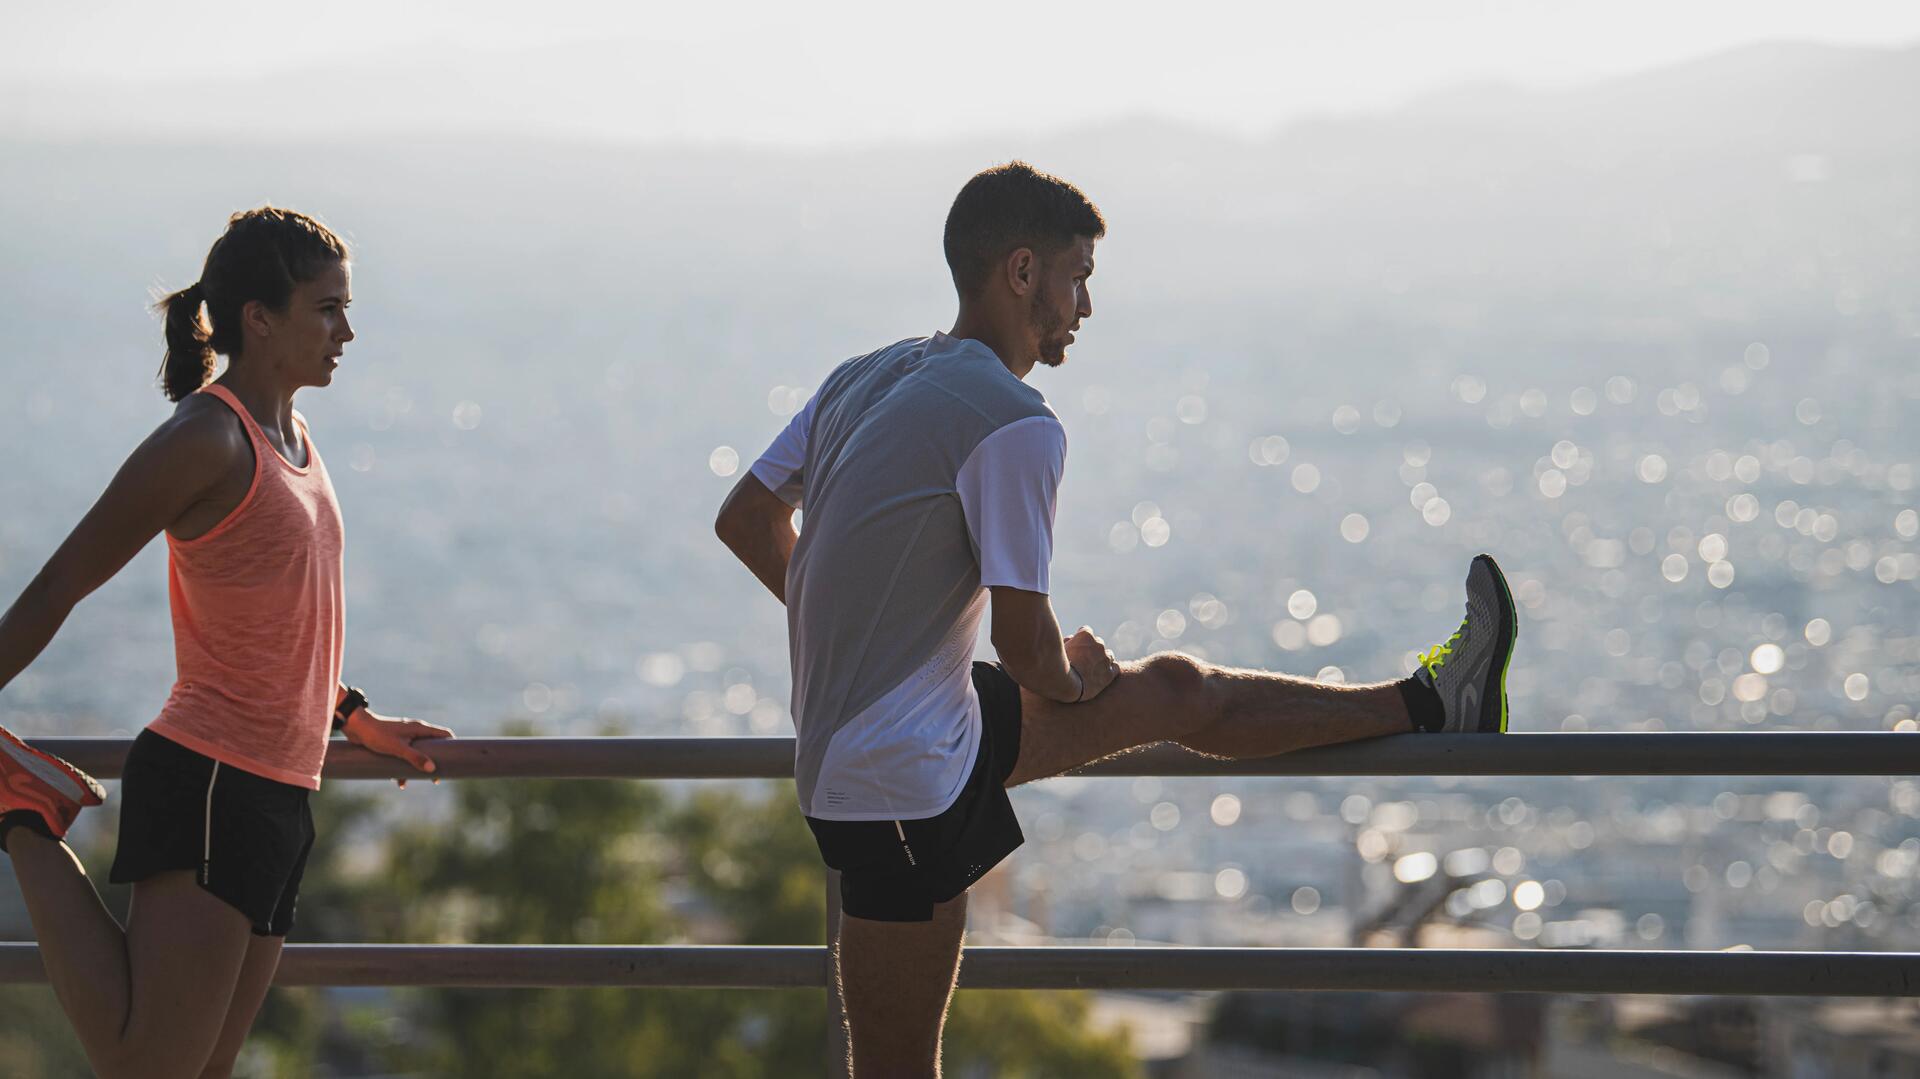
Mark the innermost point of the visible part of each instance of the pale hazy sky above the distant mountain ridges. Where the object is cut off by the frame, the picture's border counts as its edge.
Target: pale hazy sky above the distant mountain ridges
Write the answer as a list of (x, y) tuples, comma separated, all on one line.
[(779, 72)]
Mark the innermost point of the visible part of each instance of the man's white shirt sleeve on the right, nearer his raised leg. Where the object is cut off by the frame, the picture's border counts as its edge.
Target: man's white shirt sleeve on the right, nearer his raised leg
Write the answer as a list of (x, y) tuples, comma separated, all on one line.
[(1007, 494)]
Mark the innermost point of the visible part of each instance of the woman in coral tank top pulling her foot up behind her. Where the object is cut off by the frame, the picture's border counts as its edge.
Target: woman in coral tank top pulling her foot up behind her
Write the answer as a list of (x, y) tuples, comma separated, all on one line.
[(214, 819)]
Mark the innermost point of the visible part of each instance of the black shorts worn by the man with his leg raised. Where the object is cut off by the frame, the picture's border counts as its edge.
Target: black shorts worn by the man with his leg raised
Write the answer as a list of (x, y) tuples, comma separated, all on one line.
[(896, 871)]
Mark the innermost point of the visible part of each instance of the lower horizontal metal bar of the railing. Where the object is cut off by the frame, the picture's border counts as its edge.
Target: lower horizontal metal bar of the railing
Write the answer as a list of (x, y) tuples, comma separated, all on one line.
[(1353, 971)]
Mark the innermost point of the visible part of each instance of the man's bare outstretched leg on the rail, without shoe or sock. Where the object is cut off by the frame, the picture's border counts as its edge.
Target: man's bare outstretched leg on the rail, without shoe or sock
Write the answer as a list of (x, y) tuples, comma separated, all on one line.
[(1209, 709)]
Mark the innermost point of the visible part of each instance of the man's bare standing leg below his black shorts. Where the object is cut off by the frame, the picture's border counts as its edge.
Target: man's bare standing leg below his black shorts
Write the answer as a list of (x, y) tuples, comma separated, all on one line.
[(898, 980)]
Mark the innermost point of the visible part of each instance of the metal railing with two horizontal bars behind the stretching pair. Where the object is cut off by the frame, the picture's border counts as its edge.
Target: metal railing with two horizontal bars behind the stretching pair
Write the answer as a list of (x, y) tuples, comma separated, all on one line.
[(1428, 971)]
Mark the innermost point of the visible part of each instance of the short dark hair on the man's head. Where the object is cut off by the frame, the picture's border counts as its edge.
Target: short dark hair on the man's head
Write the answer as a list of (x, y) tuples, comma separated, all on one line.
[(1007, 208)]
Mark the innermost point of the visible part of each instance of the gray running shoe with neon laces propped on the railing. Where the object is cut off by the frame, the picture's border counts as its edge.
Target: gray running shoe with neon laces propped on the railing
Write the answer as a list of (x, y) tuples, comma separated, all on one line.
[(1470, 671)]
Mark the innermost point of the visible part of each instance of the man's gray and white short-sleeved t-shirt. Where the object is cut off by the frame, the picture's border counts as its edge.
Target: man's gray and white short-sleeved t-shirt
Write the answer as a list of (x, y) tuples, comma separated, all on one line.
[(926, 473)]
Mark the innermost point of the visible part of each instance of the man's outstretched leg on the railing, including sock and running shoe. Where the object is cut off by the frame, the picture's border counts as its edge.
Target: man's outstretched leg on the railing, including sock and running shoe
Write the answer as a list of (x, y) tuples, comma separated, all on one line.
[(1249, 713)]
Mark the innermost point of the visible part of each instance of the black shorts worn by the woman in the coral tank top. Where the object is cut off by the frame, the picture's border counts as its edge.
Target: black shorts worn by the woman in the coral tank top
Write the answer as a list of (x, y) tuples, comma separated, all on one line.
[(245, 838)]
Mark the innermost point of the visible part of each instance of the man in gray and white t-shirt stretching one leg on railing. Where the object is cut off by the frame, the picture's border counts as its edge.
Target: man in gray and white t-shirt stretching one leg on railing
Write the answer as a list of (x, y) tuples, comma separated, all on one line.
[(928, 475)]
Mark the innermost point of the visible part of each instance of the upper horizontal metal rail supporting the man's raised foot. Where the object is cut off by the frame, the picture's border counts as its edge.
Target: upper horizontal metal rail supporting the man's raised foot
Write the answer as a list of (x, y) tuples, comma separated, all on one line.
[(1773, 754)]
